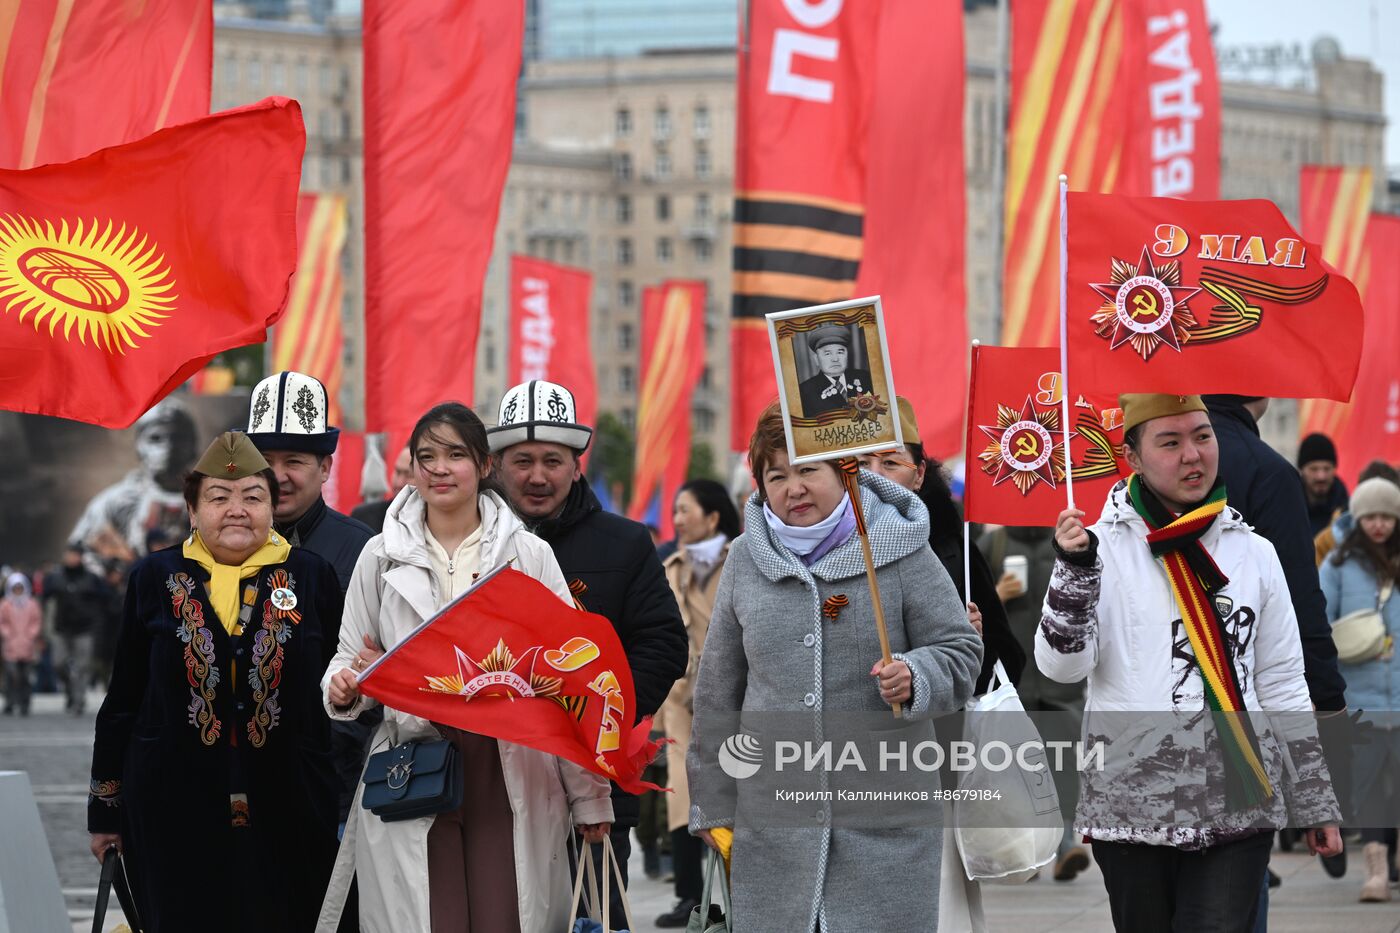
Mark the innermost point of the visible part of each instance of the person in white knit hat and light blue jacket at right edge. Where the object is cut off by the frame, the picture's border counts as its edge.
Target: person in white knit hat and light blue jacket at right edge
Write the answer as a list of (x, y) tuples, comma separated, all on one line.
[(1361, 575)]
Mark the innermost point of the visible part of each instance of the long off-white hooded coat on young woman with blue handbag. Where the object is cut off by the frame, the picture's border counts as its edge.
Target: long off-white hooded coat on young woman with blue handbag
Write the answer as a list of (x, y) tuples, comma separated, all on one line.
[(394, 590)]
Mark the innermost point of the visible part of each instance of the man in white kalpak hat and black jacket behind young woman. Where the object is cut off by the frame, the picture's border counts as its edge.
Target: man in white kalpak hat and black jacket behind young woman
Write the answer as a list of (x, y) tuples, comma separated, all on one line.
[(608, 561)]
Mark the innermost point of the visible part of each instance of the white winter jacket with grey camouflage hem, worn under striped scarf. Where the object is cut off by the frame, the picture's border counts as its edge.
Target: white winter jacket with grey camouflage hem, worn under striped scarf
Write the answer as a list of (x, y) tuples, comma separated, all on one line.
[(1118, 626)]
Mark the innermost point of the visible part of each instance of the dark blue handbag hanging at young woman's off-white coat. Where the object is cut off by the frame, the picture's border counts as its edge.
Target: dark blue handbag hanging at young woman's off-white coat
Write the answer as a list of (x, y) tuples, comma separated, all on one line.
[(414, 780)]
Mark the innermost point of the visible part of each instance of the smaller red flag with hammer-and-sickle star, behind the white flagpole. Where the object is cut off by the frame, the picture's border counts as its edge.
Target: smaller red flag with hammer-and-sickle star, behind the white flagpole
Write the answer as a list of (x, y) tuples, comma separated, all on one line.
[(1016, 441)]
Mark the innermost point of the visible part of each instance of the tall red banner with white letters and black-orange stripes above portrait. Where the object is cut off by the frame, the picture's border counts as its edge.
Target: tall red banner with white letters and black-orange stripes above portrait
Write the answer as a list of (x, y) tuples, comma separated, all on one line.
[(807, 75)]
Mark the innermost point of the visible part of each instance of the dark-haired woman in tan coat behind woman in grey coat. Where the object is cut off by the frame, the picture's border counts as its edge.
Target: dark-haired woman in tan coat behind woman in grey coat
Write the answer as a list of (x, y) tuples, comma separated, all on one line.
[(706, 523)]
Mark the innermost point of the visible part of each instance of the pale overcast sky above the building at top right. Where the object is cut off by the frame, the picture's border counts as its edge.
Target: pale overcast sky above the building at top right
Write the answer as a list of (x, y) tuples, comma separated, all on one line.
[(1364, 29)]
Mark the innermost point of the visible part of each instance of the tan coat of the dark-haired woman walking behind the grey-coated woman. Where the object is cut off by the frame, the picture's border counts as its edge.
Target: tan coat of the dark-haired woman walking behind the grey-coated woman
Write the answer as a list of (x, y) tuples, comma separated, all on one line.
[(696, 603)]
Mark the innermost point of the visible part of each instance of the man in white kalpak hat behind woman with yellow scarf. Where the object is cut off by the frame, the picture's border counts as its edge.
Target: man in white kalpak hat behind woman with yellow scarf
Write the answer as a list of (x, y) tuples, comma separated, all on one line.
[(288, 424)]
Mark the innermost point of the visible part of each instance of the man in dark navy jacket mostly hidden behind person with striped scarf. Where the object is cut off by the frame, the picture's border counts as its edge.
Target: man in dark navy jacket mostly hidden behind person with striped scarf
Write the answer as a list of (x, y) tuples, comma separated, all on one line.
[(1265, 488)]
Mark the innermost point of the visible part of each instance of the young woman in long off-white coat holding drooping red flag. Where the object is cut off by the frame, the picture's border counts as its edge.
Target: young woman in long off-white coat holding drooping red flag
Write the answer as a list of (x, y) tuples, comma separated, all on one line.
[(500, 862)]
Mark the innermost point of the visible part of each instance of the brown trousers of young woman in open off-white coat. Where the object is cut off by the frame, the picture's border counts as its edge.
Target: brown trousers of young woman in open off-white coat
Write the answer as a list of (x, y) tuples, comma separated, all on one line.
[(472, 850)]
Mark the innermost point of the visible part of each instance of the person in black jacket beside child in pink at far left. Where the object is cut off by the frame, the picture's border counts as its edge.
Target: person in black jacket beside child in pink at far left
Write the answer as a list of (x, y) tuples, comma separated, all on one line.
[(76, 606)]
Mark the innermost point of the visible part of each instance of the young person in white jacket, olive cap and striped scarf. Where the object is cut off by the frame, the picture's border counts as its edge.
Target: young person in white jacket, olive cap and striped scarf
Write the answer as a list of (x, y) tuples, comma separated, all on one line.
[(1178, 616)]
